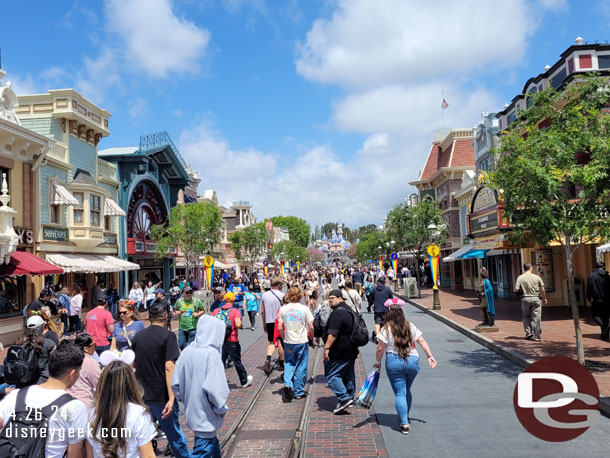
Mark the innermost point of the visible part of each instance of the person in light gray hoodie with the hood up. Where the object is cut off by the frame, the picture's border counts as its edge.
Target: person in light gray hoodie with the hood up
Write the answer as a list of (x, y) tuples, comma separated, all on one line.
[(199, 381)]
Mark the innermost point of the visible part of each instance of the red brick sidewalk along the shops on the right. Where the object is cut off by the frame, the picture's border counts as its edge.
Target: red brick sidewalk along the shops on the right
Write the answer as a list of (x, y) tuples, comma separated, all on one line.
[(557, 330)]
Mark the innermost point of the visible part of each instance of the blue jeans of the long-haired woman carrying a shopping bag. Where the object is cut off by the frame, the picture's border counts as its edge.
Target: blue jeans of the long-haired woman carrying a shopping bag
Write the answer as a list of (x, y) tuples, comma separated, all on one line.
[(402, 374)]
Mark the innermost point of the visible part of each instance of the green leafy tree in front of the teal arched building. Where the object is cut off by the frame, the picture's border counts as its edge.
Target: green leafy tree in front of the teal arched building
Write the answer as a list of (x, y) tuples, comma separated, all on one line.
[(193, 228)]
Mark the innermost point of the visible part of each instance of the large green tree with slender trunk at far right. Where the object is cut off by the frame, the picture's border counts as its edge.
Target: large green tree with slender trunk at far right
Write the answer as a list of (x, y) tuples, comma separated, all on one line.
[(553, 170)]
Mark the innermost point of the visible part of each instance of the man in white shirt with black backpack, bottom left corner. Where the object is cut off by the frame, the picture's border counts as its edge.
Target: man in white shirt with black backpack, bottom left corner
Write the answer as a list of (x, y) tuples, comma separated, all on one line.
[(44, 420)]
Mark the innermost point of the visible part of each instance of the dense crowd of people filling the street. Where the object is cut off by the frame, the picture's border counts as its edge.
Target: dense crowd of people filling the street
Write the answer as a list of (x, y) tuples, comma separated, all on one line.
[(119, 375)]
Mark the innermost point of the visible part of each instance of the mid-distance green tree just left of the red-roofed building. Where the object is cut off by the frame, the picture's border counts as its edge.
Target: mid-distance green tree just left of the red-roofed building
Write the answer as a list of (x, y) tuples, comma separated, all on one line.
[(408, 226)]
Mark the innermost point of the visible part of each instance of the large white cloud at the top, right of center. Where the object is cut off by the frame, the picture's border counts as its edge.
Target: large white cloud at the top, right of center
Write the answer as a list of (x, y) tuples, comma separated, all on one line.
[(365, 44)]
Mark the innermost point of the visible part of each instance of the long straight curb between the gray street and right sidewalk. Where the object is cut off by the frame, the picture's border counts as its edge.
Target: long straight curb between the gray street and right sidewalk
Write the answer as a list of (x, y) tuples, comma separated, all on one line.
[(511, 355)]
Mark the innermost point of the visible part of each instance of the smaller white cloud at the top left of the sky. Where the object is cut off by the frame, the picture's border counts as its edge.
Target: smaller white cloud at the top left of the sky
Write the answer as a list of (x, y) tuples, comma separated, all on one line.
[(154, 38)]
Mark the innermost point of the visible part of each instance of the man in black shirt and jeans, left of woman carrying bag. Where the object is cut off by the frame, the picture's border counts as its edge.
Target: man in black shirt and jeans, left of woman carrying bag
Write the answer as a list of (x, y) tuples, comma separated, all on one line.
[(340, 352)]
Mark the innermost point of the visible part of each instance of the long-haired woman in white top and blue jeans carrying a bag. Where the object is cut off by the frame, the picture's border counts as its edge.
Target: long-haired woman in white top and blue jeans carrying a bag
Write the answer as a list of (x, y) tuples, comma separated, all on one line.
[(397, 340)]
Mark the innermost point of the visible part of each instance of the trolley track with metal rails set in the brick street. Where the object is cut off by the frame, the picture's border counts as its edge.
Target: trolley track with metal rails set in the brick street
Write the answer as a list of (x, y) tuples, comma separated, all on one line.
[(241, 437)]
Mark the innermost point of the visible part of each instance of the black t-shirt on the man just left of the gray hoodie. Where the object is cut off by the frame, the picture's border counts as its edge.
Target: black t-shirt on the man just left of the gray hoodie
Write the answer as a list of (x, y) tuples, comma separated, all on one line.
[(153, 347)]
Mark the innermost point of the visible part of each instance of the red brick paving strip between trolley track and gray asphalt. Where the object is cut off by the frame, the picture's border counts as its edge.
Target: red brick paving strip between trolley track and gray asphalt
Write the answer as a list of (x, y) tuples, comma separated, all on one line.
[(355, 433)]
